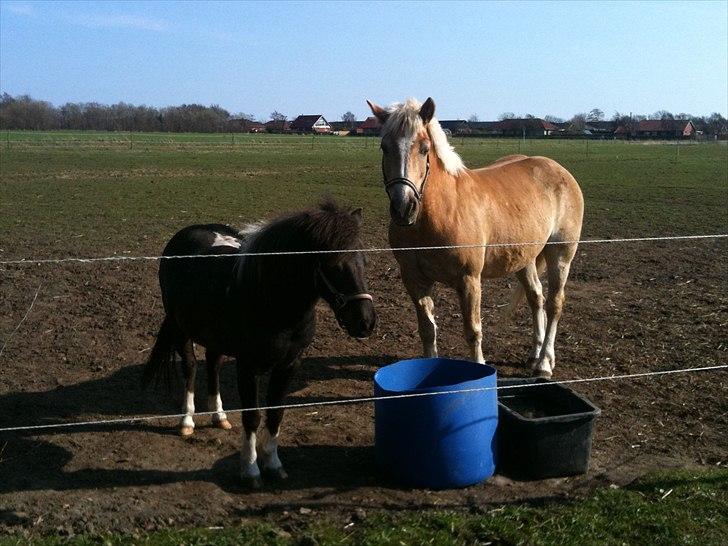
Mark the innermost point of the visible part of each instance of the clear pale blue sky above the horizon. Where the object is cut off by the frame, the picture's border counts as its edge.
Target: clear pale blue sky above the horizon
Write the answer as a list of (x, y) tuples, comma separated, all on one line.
[(481, 58)]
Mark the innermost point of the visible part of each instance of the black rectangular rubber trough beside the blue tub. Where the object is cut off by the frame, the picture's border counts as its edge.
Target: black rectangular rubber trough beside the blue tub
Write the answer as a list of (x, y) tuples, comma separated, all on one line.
[(544, 431)]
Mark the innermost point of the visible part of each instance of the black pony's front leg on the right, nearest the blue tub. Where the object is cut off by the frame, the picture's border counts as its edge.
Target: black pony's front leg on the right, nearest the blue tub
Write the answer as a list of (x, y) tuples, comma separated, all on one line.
[(268, 442)]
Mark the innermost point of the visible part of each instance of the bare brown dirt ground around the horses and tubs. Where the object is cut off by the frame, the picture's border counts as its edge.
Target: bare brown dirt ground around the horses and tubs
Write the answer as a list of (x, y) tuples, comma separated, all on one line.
[(630, 308)]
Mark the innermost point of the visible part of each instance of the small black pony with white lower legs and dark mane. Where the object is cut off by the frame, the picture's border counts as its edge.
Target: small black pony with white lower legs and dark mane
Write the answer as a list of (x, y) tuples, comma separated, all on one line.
[(258, 309)]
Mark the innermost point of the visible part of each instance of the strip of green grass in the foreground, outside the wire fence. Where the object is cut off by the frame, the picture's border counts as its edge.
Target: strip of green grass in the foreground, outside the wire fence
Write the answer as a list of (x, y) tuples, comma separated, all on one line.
[(688, 507)]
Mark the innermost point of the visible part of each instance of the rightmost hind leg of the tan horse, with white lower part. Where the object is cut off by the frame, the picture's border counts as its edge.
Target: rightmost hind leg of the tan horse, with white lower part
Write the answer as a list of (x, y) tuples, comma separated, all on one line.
[(558, 263)]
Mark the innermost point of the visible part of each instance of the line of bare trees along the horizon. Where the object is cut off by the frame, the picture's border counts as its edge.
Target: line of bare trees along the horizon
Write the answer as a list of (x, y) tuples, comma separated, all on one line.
[(24, 112)]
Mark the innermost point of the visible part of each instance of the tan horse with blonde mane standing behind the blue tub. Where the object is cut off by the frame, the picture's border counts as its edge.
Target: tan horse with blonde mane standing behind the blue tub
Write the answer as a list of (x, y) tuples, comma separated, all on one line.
[(434, 200)]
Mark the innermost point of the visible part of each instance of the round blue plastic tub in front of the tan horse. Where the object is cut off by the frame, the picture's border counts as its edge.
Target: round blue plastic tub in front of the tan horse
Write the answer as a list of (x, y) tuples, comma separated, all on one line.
[(440, 441)]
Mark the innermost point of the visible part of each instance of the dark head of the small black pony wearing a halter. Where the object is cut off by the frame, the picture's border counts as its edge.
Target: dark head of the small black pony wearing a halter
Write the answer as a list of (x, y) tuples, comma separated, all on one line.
[(342, 284)]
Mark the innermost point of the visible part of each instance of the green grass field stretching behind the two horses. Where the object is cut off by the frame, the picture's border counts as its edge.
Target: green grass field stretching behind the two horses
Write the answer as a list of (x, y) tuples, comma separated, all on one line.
[(101, 199)]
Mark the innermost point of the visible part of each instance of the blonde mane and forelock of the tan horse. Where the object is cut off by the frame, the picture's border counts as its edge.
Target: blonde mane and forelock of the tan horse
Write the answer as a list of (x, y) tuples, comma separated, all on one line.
[(404, 120)]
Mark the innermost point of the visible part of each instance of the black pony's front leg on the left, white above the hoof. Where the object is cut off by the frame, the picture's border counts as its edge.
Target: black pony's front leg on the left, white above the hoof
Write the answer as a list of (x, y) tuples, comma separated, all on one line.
[(248, 389)]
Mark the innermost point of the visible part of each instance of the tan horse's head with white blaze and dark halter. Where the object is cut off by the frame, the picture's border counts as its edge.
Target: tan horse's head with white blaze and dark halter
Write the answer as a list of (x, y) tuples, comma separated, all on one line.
[(405, 158)]
